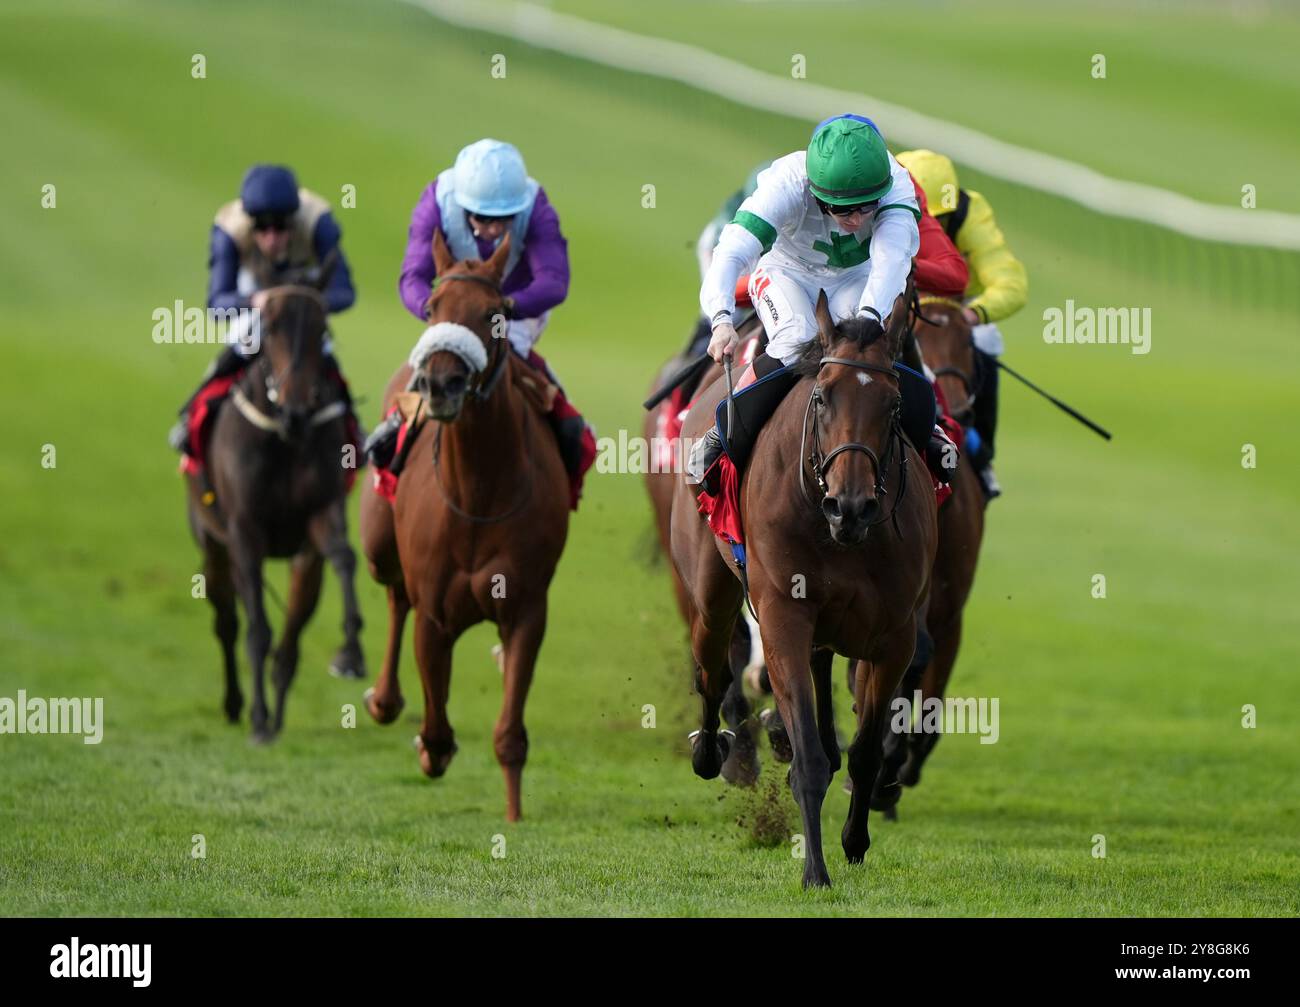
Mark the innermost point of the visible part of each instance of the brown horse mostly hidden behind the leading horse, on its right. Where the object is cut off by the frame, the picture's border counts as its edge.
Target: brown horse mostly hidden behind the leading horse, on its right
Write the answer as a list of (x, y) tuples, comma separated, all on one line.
[(946, 342)]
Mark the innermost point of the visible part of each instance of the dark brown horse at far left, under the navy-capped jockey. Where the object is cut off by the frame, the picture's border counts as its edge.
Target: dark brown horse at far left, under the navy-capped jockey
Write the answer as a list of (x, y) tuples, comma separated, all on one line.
[(276, 487)]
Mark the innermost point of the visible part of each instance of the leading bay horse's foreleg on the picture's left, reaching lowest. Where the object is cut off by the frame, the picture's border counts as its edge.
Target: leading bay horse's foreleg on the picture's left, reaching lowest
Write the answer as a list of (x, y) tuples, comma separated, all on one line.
[(787, 649)]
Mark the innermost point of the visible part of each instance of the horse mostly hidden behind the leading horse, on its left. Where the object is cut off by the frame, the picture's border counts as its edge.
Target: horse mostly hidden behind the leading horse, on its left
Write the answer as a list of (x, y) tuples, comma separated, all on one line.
[(742, 766)]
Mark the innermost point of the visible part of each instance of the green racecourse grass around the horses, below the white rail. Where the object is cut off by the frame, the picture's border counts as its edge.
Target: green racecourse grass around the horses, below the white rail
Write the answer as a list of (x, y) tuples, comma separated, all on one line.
[(1120, 717)]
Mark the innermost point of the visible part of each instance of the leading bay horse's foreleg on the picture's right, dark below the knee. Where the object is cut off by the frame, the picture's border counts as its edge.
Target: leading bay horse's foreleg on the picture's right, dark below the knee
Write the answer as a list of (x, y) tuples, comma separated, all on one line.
[(877, 684)]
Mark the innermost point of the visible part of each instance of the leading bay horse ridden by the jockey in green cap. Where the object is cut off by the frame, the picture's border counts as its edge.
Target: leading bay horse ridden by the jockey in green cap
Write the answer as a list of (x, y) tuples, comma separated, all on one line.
[(840, 567)]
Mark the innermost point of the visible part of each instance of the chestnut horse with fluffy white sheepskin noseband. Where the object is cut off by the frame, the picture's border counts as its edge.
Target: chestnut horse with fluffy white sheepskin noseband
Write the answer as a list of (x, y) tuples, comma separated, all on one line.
[(479, 522)]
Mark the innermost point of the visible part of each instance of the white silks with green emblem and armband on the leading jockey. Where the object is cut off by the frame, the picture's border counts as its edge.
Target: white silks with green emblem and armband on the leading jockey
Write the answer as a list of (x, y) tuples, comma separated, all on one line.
[(783, 228)]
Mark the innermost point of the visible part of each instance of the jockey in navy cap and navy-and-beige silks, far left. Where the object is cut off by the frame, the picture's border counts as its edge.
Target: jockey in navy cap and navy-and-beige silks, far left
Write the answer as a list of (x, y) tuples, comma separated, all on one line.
[(274, 235)]
